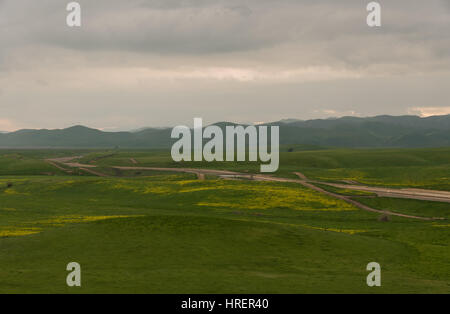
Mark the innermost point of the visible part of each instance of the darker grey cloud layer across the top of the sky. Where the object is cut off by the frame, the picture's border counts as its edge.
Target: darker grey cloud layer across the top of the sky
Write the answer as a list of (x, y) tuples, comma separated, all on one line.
[(334, 32)]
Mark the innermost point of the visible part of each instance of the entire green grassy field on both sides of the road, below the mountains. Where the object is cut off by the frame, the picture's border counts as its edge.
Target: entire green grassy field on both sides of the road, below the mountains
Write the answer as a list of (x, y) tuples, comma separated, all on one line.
[(150, 232)]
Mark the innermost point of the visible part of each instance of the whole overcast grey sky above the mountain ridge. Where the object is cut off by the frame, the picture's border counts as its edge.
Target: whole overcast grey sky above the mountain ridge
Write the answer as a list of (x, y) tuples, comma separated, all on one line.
[(157, 63)]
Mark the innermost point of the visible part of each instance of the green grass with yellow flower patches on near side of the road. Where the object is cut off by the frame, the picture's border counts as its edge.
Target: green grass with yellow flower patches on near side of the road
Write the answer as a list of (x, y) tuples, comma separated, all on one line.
[(168, 243)]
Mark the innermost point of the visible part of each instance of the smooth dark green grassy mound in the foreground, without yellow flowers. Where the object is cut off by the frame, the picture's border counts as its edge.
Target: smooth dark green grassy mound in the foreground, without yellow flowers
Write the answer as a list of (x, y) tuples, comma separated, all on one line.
[(182, 254)]
